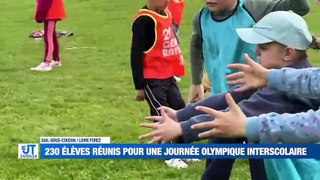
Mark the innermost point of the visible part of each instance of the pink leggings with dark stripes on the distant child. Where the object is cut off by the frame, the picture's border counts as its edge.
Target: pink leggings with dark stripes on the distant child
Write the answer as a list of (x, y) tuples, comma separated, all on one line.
[(51, 42)]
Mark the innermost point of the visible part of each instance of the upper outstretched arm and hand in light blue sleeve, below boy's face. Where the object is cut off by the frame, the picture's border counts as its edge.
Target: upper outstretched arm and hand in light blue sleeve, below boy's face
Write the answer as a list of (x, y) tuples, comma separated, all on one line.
[(302, 82)]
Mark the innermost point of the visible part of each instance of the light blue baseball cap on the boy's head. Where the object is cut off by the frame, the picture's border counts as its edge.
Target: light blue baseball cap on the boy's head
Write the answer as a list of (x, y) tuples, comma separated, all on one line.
[(285, 27)]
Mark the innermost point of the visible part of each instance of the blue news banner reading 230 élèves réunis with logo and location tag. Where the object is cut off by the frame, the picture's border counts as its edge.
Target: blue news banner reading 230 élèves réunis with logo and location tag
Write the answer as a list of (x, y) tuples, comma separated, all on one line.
[(100, 148)]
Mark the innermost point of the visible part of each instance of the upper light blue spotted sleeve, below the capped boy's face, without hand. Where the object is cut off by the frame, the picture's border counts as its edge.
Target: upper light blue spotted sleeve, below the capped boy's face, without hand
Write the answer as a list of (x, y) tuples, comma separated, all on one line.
[(302, 82)]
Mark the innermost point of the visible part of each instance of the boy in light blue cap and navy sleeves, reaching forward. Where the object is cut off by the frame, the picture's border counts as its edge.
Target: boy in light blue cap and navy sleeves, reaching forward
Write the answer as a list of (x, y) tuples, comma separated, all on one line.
[(281, 46)]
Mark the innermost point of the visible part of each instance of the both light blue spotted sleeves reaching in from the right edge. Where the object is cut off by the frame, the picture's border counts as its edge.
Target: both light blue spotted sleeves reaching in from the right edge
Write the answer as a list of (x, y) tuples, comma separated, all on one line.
[(302, 127)]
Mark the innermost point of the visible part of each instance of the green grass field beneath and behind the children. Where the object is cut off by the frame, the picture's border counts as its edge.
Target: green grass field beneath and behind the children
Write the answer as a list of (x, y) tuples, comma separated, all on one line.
[(91, 95)]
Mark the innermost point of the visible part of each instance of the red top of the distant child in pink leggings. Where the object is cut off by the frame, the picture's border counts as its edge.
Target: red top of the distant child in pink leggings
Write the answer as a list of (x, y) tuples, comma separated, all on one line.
[(50, 10)]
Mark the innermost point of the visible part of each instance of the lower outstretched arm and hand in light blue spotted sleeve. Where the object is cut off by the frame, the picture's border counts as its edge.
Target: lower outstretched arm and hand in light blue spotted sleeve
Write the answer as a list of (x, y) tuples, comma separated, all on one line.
[(267, 128)]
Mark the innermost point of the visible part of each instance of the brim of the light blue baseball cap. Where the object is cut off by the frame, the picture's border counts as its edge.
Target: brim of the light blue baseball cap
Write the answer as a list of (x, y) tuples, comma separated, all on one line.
[(250, 36)]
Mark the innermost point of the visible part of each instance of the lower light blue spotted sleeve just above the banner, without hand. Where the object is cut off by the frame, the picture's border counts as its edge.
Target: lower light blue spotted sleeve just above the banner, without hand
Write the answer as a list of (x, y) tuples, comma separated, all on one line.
[(287, 128)]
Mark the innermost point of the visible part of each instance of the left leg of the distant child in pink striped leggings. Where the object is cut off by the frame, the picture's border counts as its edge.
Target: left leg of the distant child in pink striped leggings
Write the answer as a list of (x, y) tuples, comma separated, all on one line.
[(49, 27)]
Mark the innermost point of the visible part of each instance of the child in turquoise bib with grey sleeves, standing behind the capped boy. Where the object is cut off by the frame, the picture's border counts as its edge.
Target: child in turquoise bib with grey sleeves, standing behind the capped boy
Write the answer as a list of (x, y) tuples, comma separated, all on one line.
[(215, 44)]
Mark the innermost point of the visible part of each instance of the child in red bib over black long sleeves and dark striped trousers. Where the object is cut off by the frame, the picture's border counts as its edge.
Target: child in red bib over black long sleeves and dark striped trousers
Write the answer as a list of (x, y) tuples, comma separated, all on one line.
[(155, 60)]
